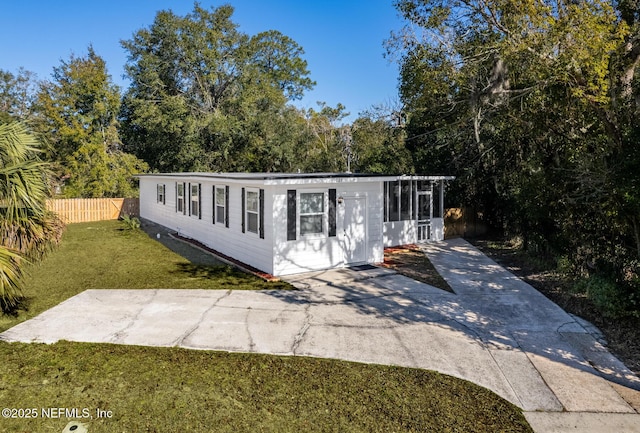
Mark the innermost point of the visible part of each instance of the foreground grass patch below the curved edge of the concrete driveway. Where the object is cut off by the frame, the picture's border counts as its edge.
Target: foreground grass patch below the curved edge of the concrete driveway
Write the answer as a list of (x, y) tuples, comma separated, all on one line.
[(178, 390)]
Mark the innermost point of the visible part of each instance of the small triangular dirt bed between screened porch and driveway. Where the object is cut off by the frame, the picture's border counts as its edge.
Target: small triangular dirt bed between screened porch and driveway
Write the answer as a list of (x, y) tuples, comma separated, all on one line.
[(412, 262)]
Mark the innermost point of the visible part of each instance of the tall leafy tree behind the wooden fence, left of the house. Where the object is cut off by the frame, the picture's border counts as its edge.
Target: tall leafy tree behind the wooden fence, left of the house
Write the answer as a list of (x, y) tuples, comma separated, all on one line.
[(77, 113)]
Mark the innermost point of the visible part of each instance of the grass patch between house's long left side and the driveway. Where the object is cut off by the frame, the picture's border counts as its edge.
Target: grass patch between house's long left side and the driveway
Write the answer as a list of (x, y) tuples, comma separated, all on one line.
[(102, 255)]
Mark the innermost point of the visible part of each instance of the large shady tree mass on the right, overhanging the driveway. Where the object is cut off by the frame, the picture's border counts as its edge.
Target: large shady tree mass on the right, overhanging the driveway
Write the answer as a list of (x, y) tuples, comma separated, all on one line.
[(534, 106)]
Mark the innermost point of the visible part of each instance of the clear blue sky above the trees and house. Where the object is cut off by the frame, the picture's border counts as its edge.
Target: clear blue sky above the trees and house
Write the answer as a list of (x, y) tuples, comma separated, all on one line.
[(343, 40)]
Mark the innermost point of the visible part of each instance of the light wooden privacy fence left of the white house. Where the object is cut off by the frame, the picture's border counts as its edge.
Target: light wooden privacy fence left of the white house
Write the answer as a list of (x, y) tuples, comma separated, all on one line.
[(78, 210)]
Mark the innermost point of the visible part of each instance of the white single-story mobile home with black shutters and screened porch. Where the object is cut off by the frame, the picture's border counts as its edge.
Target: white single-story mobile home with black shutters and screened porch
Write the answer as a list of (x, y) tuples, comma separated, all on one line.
[(284, 223)]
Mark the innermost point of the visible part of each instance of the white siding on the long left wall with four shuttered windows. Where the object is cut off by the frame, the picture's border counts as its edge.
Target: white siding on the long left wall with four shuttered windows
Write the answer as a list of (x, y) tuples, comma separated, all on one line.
[(246, 247)]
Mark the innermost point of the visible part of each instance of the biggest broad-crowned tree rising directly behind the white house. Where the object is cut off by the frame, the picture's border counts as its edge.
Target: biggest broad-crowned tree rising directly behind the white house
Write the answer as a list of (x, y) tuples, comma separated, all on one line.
[(205, 96)]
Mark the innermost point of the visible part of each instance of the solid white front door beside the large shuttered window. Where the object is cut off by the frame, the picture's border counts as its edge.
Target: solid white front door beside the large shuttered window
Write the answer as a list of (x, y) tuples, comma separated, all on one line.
[(355, 229)]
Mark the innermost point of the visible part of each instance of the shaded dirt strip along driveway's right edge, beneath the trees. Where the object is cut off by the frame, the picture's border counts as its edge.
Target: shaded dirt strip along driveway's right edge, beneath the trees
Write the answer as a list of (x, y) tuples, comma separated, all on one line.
[(622, 335)]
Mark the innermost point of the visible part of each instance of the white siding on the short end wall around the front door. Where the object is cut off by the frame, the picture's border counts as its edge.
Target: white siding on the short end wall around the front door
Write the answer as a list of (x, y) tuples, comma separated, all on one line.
[(317, 252)]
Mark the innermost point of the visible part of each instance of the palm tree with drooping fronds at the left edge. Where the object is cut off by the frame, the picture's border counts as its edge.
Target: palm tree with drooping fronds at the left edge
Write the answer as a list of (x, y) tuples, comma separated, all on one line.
[(27, 229)]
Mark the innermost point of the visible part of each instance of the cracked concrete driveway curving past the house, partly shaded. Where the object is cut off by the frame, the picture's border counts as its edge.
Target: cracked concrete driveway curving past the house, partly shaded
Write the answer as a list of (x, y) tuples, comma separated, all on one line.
[(496, 331)]
